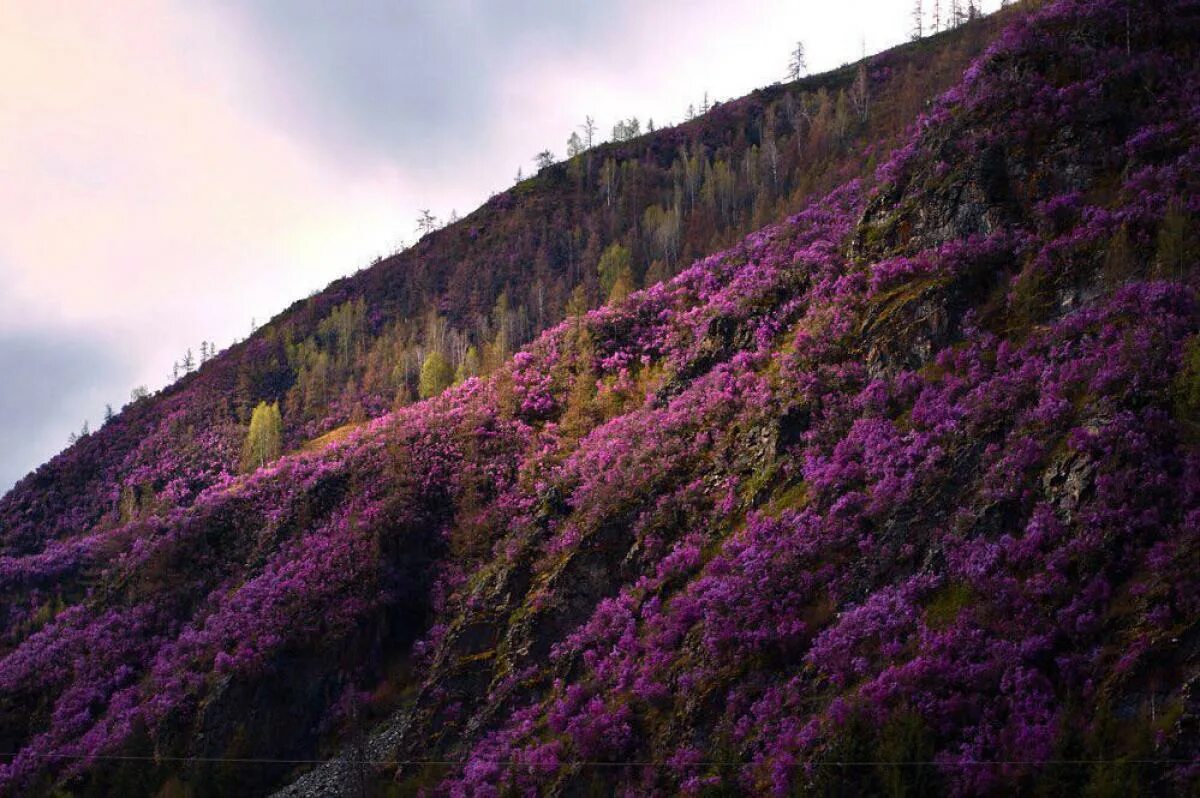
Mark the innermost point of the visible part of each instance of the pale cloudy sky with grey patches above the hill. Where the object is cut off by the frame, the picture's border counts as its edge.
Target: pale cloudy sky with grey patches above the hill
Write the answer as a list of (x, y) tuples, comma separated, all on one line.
[(172, 170)]
